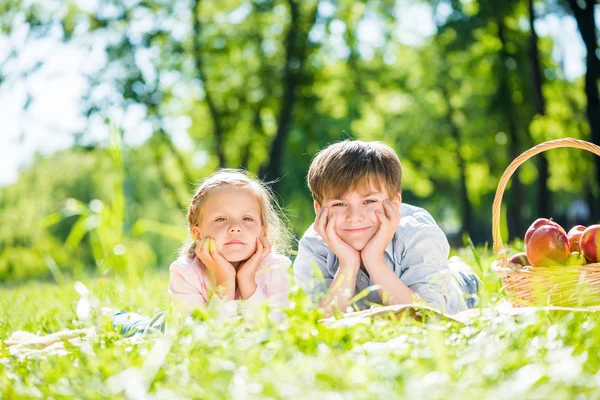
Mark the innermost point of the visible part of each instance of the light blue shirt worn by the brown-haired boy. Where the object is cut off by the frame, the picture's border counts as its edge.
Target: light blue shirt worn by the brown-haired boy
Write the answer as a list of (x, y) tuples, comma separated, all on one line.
[(418, 255)]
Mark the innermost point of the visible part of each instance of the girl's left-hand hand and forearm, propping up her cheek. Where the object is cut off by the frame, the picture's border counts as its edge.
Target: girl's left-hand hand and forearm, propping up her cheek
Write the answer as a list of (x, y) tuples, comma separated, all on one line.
[(221, 269)]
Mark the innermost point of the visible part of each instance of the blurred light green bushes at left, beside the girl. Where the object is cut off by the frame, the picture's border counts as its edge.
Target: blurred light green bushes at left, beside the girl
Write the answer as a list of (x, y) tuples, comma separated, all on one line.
[(75, 211)]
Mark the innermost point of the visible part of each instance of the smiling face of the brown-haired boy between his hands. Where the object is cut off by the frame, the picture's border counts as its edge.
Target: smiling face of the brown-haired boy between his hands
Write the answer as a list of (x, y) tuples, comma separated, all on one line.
[(357, 222)]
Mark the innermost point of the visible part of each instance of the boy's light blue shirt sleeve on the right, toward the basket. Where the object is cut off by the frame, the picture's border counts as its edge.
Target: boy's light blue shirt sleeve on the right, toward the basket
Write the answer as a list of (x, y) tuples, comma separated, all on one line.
[(424, 269)]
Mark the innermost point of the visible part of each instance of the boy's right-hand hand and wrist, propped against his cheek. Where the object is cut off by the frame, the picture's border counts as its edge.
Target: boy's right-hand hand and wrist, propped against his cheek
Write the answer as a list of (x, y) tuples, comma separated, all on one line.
[(389, 218)]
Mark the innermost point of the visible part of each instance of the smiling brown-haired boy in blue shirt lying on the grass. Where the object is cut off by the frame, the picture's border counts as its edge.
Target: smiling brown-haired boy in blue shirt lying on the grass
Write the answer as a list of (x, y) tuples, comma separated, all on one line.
[(363, 235)]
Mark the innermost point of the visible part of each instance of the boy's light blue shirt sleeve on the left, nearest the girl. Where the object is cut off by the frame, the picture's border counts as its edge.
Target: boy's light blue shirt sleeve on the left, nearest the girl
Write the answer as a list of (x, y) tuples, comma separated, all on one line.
[(310, 267)]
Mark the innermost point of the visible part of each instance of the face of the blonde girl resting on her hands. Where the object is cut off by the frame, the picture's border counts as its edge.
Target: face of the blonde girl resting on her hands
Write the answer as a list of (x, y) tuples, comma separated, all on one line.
[(232, 216)]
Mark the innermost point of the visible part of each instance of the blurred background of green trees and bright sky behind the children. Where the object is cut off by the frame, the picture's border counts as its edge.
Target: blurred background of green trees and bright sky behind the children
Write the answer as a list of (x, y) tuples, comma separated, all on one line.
[(112, 111)]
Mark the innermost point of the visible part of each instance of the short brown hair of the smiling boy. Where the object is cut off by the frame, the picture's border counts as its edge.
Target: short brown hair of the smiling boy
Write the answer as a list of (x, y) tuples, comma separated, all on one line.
[(352, 165)]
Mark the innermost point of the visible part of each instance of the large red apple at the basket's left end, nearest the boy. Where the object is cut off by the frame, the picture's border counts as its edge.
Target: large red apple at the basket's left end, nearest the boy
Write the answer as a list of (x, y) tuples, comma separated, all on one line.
[(547, 246)]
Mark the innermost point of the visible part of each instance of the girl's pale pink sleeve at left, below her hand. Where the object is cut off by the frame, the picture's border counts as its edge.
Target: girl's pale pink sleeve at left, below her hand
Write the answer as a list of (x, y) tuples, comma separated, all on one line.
[(185, 286)]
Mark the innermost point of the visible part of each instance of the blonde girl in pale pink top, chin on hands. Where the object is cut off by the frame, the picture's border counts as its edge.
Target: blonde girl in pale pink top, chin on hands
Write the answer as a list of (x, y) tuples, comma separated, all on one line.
[(236, 251)]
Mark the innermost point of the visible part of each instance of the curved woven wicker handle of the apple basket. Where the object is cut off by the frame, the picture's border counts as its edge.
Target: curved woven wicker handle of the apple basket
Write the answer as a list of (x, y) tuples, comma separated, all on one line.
[(553, 144)]
